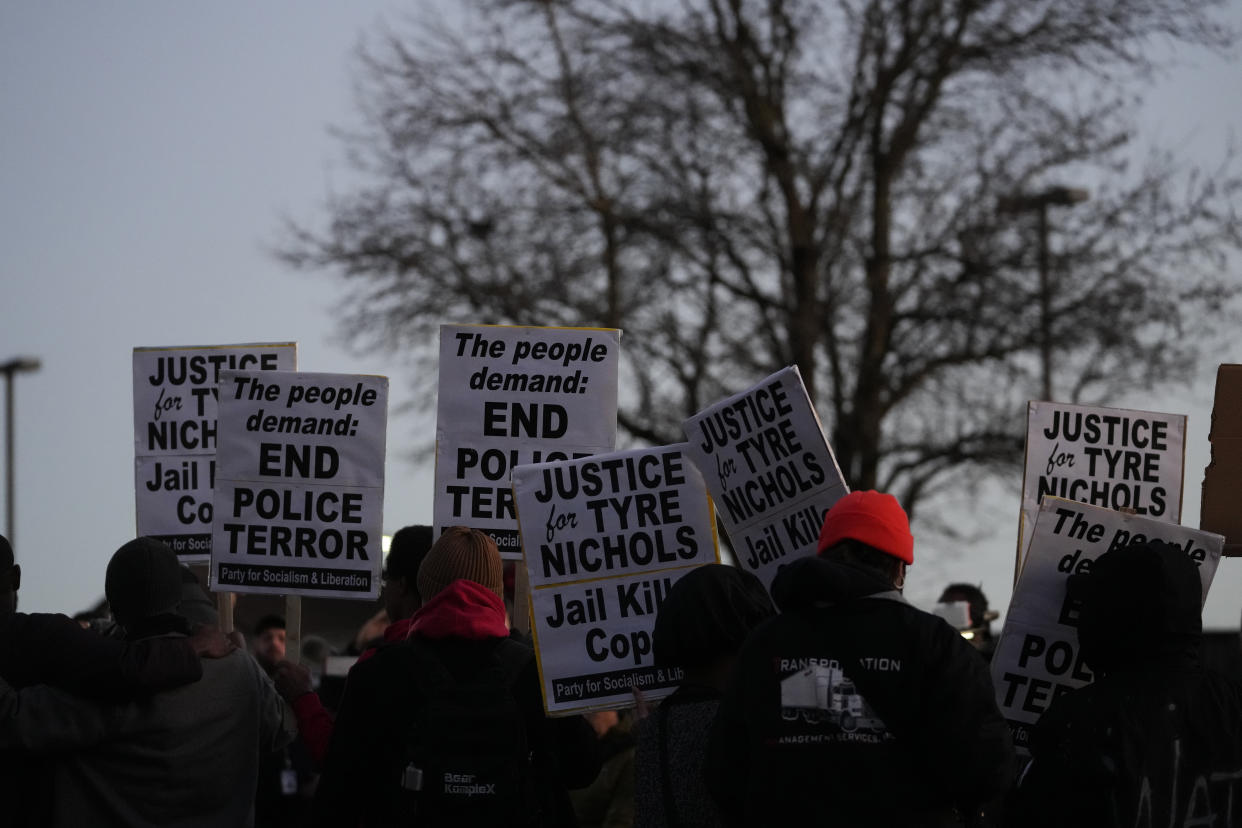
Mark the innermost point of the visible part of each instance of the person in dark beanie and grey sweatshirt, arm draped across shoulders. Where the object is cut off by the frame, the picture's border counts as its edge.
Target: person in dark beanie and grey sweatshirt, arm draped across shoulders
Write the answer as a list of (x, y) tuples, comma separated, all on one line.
[(186, 757)]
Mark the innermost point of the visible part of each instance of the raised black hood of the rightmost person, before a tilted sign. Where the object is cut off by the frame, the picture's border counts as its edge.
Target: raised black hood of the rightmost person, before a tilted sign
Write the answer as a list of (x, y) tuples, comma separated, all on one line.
[(1140, 609)]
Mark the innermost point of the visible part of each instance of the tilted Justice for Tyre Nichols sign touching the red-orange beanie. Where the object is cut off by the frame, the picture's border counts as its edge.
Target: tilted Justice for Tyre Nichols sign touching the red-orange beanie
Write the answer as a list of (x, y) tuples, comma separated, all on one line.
[(771, 470)]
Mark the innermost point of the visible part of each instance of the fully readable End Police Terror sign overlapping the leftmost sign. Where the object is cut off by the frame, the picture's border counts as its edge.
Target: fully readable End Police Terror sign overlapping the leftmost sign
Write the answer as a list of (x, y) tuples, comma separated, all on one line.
[(300, 485)]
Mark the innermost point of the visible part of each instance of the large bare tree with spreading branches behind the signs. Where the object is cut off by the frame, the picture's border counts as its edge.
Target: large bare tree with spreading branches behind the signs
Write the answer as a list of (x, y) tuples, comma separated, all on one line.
[(743, 186)]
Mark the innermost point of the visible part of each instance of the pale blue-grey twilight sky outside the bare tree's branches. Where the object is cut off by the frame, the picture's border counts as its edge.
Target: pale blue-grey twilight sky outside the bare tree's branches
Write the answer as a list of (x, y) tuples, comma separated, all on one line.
[(148, 156)]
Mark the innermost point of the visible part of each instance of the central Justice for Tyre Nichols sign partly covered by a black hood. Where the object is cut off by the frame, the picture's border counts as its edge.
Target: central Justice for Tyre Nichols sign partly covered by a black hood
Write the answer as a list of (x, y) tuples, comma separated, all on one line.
[(605, 539)]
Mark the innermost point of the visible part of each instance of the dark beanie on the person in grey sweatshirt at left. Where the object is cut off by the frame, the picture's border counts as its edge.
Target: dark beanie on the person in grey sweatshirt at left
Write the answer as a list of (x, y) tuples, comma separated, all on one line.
[(143, 580)]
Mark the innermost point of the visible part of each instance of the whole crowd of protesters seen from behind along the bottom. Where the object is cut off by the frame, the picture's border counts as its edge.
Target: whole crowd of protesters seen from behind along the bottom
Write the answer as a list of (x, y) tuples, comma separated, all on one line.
[(827, 701)]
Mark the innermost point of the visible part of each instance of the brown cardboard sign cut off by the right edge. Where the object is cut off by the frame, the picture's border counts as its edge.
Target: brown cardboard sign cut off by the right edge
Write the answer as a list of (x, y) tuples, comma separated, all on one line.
[(1222, 507)]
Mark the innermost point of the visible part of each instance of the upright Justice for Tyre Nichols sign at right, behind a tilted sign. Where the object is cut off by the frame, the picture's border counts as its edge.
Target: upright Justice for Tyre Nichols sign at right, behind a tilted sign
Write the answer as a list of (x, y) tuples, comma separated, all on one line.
[(1128, 461)]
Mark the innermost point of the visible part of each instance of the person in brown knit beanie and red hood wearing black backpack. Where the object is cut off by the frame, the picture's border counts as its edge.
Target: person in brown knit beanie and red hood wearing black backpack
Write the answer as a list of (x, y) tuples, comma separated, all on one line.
[(449, 724)]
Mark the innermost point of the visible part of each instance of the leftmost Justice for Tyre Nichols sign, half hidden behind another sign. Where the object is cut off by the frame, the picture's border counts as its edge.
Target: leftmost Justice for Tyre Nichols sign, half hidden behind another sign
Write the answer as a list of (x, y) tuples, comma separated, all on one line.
[(176, 436)]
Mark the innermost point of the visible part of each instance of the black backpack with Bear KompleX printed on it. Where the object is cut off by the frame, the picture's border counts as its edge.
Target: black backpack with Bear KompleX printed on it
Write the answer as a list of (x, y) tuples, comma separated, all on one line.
[(469, 762)]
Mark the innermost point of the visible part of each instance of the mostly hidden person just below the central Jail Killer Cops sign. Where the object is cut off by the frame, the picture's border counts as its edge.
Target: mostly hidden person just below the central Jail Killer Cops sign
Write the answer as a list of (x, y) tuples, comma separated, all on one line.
[(608, 803)]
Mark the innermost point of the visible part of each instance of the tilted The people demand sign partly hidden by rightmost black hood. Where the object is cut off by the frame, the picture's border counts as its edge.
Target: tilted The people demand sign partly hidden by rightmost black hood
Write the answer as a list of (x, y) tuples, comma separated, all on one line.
[(1038, 657)]
